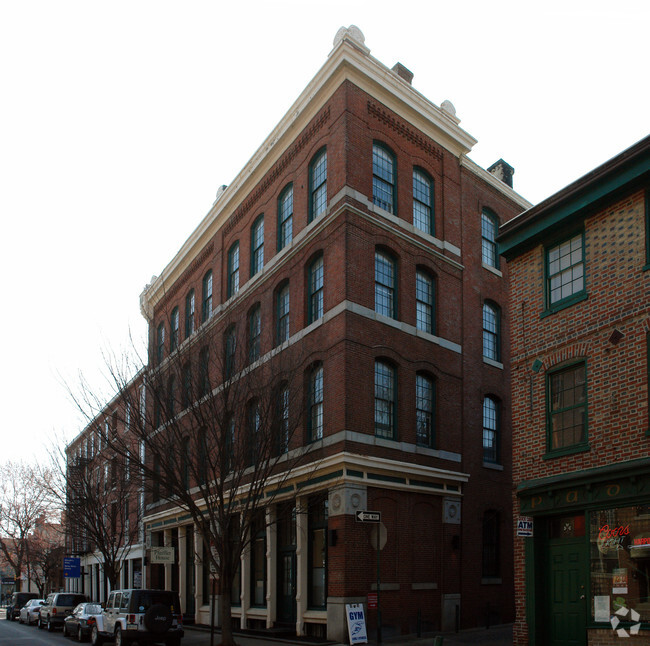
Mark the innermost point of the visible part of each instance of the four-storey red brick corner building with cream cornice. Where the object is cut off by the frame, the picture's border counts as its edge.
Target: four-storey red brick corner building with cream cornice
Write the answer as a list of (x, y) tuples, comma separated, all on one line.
[(361, 238)]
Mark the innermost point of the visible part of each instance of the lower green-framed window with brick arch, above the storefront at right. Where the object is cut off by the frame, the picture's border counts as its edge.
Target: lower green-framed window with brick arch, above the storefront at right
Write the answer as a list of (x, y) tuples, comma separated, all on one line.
[(567, 408)]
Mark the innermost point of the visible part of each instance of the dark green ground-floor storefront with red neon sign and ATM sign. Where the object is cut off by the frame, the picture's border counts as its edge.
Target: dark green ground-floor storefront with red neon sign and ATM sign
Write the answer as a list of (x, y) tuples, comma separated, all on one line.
[(584, 574)]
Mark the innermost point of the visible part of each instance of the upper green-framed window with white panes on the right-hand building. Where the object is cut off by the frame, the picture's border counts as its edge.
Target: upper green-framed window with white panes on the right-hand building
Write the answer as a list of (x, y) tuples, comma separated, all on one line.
[(565, 272)]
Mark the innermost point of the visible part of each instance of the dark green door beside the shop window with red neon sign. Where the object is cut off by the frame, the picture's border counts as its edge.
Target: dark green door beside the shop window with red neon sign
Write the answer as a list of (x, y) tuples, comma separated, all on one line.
[(566, 593)]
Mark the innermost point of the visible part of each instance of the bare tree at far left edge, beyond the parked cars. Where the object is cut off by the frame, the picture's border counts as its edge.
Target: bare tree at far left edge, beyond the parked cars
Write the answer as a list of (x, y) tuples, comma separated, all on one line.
[(23, 503)]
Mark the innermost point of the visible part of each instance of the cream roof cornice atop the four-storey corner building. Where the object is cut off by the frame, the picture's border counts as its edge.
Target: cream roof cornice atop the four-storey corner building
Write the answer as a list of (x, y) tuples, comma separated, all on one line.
[(347, 61)]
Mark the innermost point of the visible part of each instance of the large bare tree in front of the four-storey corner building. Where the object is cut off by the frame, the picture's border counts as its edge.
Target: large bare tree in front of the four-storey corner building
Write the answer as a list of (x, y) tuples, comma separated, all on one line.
[(217, 432)]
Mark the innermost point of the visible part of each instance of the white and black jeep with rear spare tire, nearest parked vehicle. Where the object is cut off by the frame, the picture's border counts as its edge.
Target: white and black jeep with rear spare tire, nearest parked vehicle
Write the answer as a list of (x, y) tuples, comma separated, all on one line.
[(145, 616)]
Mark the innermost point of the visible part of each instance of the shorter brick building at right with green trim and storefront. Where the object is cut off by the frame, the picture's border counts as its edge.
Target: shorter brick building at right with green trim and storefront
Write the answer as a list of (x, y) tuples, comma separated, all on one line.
[(580, 334)]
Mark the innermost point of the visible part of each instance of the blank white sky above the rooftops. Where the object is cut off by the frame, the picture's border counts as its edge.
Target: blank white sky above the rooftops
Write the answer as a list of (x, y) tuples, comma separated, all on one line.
[(119, 120)]
